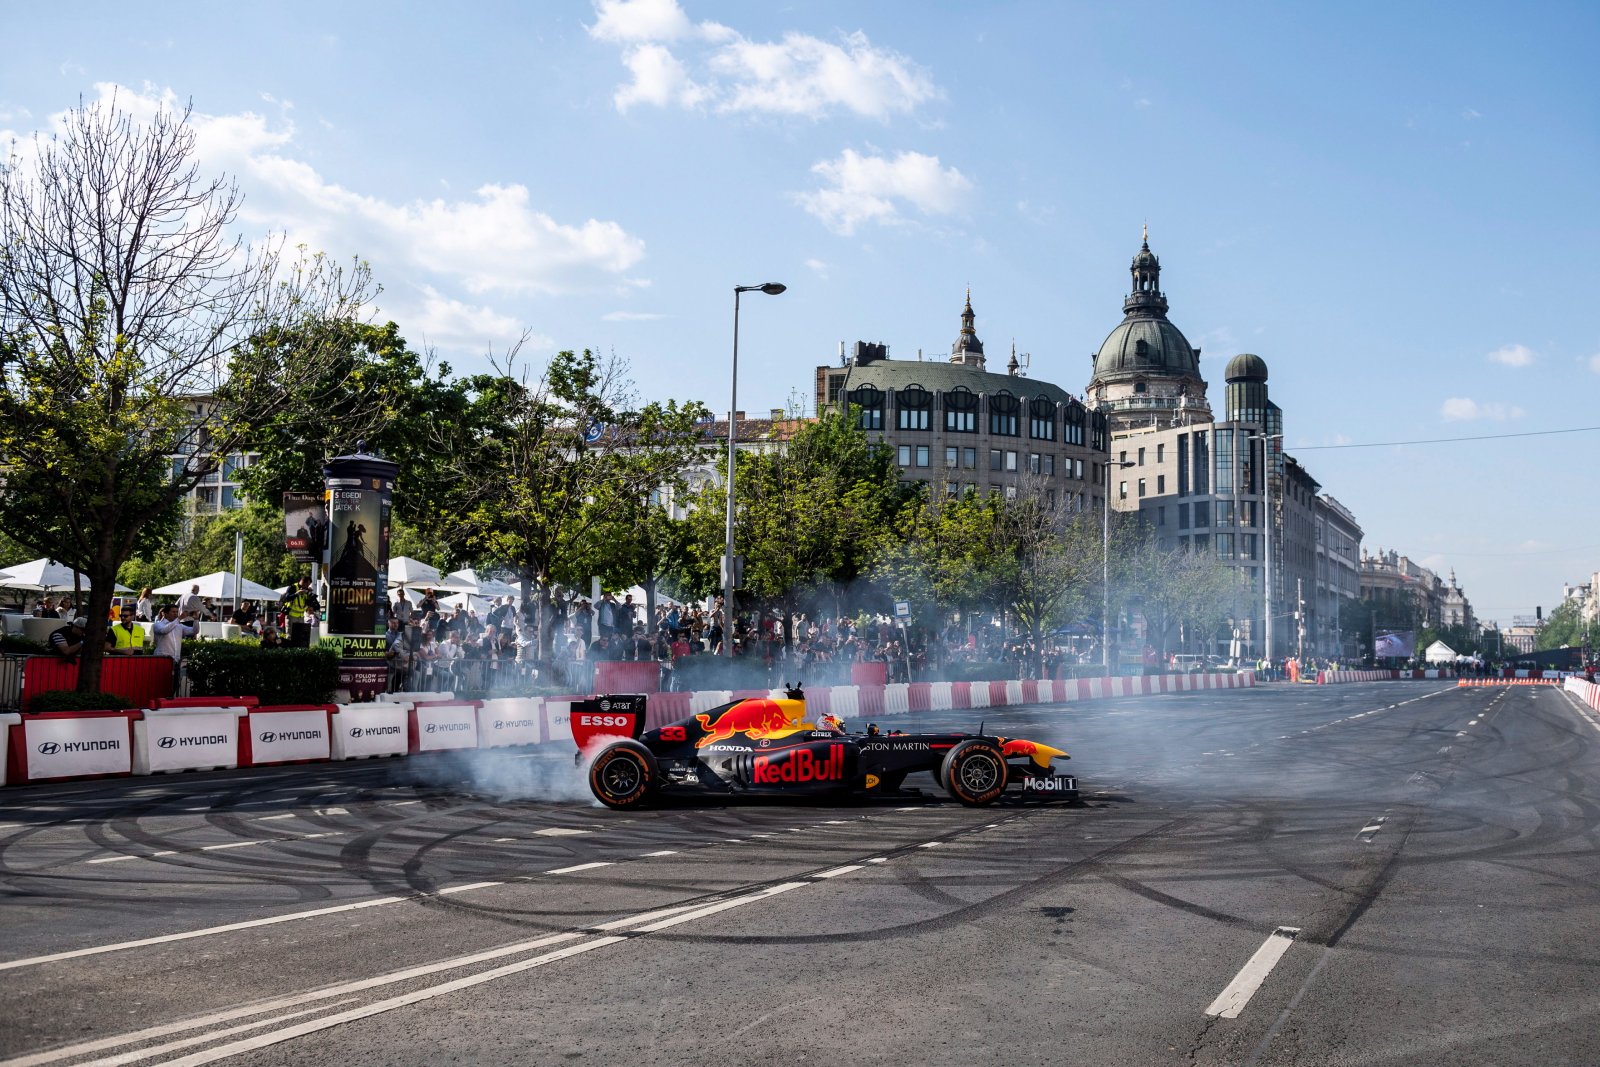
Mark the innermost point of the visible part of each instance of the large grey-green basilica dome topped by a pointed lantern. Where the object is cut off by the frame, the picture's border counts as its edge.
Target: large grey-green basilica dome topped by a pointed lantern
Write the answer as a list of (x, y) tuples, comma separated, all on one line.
[(1146, 374)]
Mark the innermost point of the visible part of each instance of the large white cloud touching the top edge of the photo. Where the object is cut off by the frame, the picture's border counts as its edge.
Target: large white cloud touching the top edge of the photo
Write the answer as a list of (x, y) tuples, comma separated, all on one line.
[(798, 76)]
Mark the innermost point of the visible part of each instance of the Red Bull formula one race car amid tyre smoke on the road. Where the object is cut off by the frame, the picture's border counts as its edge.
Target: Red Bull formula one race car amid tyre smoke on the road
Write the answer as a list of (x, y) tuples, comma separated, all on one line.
[(769, 746)]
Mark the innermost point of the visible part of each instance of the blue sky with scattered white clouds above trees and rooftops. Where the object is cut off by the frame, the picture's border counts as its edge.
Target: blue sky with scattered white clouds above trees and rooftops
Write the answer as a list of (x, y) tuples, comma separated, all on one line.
[(1393, 204)]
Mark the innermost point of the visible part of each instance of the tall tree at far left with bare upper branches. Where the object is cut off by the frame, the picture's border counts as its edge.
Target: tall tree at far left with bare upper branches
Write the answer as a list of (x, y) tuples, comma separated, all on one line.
[(127, 322)]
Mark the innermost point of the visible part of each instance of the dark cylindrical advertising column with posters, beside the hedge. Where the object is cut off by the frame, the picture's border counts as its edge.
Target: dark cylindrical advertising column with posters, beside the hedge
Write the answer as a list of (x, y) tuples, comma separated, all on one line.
[(361, 489)]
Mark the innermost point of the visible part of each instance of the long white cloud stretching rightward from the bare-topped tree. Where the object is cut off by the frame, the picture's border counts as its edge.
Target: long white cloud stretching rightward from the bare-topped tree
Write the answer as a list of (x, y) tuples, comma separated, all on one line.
[(495, 241)]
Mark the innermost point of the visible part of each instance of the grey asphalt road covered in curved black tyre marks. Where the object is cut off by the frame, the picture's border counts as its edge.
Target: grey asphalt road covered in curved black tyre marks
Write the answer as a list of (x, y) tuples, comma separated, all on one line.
[(1362, 874)]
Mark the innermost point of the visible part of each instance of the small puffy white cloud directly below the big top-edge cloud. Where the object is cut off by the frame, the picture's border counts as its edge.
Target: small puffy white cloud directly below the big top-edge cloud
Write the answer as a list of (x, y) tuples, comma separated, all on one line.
[(873, 188)]
